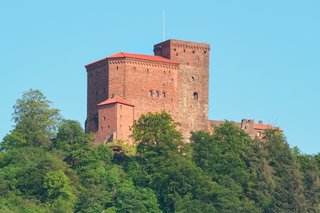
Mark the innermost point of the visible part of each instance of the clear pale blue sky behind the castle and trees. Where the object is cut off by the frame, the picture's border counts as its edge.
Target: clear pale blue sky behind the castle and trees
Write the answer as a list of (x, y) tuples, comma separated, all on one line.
[(264, 62)]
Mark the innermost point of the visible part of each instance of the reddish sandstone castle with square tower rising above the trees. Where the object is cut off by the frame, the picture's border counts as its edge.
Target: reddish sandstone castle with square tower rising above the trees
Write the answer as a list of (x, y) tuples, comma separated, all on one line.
[(123, 86)]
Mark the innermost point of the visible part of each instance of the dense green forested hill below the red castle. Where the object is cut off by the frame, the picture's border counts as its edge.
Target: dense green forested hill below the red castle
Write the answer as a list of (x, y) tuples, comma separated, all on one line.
[(48, 164)]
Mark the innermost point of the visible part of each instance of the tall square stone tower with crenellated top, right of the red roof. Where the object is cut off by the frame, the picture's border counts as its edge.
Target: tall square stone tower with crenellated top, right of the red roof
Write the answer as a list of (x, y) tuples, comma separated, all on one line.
[(192, 81)]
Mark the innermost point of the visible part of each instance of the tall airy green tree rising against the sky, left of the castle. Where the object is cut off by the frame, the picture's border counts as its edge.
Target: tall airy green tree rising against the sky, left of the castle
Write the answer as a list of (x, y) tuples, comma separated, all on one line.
[(35, 121)]
